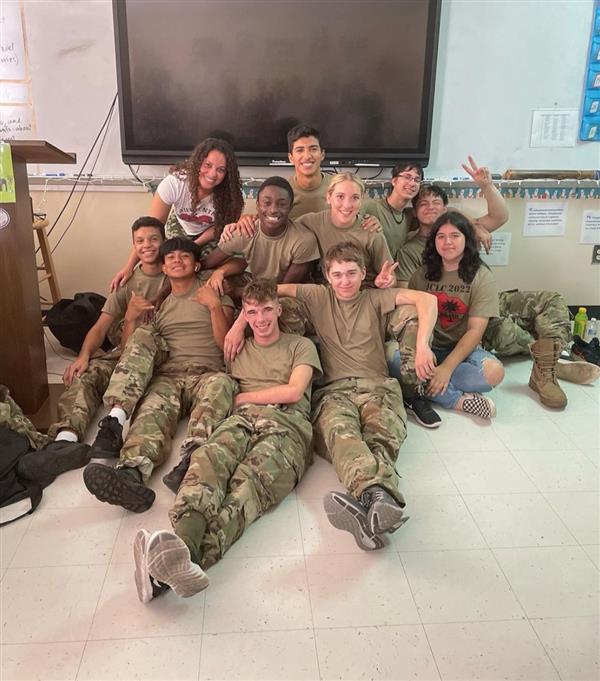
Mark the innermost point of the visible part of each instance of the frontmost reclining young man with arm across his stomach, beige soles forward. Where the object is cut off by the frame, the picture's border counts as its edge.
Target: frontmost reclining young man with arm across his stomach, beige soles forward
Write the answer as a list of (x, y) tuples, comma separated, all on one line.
[(251, 462)]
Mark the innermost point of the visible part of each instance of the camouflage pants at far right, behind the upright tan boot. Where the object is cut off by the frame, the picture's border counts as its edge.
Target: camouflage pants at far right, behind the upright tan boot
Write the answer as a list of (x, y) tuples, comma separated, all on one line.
[(524, 317)]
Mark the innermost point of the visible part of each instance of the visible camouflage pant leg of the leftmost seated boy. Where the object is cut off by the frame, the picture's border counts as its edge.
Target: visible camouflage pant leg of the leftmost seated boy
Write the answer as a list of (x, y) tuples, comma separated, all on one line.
[(79, 403)]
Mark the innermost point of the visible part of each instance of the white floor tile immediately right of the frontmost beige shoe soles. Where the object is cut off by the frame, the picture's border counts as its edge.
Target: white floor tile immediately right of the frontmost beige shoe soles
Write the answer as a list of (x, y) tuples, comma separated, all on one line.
[(256, 594)]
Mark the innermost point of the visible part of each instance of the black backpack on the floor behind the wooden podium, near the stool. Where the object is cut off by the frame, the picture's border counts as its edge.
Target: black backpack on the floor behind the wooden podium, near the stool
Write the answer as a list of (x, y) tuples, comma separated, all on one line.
[(71, 319)]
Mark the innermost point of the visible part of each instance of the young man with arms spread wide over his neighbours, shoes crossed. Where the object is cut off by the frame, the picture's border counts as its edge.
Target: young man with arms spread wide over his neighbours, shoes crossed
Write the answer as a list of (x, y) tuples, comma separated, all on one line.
[(358, 416)]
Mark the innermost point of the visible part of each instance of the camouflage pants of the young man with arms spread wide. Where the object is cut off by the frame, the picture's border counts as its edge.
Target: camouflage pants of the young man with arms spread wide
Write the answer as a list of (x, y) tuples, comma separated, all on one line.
[(359, 427)]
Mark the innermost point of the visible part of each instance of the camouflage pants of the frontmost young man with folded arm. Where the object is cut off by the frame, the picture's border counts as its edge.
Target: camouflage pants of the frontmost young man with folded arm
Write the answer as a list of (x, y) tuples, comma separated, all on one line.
[(251, 462)]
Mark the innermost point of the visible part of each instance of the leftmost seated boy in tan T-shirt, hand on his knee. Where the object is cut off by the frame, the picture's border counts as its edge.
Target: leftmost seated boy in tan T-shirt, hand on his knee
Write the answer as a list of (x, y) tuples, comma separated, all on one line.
[(87, 377)]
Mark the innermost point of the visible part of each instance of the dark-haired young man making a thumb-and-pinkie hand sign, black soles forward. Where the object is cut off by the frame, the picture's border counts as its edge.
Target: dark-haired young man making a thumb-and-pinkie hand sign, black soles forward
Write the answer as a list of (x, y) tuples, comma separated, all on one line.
[(185, 342)]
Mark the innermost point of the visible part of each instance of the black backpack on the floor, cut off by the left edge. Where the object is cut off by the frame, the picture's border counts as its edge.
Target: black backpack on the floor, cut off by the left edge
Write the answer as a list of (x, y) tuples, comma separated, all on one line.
[(18, 497)]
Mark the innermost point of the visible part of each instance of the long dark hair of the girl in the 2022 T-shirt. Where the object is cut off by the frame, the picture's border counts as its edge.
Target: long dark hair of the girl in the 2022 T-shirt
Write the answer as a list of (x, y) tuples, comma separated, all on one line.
[(470, 261)]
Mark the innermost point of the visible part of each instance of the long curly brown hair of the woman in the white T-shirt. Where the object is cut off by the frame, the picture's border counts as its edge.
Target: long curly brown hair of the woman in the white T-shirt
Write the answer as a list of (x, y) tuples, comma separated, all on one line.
[(228, 197)]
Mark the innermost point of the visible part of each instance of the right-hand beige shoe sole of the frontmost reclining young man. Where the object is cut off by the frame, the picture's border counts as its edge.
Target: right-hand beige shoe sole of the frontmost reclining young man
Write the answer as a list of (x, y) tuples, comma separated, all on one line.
[(167, 554)]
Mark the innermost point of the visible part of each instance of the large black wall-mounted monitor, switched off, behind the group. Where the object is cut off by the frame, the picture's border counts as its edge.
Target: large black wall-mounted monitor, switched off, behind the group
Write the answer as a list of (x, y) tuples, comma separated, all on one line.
[(361, 71)]
